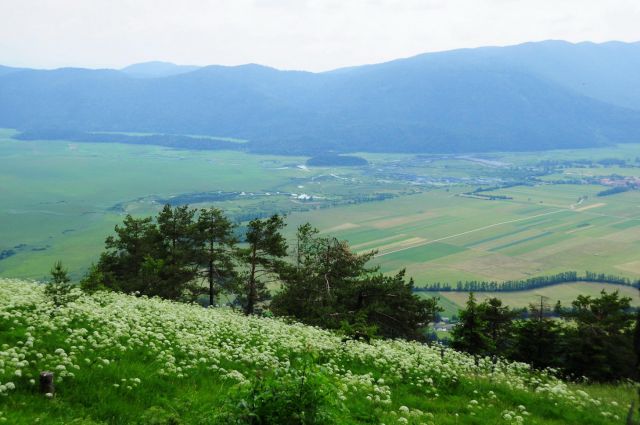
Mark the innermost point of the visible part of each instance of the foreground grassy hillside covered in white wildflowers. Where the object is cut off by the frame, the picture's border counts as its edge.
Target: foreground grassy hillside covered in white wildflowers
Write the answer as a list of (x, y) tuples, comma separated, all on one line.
[(126, 360)]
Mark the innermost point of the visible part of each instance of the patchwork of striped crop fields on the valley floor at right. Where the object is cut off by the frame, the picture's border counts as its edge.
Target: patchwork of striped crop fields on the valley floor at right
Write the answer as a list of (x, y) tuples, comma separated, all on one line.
[(440, 236)]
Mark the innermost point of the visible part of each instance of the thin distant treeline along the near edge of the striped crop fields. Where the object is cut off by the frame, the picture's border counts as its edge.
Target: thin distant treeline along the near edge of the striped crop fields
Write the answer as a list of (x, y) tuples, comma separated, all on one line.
[(526, 284)]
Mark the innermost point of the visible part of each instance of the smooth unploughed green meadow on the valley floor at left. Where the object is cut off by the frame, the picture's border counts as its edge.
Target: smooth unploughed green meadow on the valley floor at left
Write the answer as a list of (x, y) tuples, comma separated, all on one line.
[(59, 200)]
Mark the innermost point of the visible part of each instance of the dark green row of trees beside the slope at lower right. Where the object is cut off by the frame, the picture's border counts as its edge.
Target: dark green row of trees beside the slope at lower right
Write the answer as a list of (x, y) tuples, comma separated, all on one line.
[(595, 337)]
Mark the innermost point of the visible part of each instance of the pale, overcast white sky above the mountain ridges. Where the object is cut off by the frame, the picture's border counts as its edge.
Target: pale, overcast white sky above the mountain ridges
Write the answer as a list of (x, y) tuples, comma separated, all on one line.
[(313, 35)]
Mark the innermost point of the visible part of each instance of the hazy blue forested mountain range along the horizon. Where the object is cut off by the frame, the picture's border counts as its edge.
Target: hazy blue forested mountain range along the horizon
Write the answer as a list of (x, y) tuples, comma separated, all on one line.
[(532, 96)]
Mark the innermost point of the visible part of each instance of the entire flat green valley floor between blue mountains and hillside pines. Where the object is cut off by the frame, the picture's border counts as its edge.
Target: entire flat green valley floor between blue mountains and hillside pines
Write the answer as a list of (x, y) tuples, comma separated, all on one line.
[(59, 200)]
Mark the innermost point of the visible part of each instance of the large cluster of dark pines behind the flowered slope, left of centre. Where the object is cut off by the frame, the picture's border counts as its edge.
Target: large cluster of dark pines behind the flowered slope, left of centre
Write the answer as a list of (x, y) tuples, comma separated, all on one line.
[(182, 253)]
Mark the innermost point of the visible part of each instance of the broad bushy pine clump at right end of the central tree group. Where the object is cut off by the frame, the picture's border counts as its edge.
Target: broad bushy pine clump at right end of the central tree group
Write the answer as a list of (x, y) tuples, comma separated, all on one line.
[(331, 286)]
